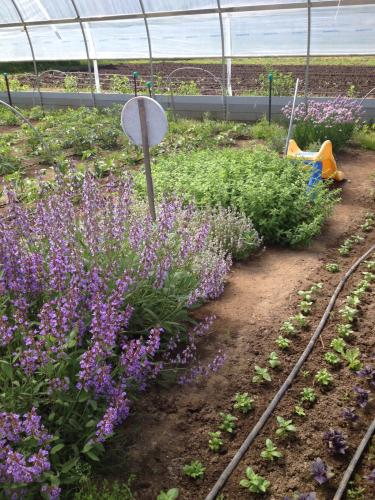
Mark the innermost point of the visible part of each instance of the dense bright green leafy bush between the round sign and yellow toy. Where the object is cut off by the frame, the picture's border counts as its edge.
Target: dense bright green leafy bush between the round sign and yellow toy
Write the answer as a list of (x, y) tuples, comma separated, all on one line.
[(268, 189)]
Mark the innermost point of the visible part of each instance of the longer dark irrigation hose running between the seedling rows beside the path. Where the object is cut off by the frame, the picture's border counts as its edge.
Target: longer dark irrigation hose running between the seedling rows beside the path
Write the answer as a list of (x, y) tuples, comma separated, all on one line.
[(288, 382)]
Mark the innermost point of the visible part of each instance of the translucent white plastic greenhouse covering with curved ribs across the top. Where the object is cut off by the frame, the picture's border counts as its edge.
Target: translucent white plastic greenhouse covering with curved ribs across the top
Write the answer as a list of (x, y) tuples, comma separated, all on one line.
[(136, 29)]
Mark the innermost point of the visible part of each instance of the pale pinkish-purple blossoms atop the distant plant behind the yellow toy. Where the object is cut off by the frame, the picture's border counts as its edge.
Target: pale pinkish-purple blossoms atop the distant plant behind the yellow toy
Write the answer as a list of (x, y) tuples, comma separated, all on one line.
[(339, 111)]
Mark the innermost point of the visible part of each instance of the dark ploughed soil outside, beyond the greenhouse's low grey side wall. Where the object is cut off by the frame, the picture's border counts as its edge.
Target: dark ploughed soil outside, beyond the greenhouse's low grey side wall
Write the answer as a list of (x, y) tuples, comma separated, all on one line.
[(323, 80)]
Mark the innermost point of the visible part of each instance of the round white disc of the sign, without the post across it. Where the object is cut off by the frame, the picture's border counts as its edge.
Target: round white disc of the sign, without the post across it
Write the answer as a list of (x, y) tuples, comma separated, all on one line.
[(156, 120)]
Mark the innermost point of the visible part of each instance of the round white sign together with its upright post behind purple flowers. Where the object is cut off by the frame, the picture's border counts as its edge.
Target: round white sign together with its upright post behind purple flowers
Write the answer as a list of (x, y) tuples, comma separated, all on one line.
[(145, 123)]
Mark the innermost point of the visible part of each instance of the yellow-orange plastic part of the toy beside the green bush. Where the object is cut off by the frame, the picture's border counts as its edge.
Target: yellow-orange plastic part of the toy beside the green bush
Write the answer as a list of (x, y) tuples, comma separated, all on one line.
[(323, 157)]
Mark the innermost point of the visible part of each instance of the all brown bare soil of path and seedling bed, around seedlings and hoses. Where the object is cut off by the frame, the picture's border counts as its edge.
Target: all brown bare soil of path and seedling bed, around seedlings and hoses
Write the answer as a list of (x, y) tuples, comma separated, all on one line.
[(170, 425)]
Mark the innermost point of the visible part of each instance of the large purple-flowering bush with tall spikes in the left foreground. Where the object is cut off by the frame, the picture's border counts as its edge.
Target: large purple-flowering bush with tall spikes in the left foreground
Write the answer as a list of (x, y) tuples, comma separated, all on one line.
[(89, 286)]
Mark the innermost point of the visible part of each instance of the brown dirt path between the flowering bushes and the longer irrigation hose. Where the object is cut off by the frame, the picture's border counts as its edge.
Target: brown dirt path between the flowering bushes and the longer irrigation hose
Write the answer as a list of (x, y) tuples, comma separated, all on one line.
[(170, 426)]
